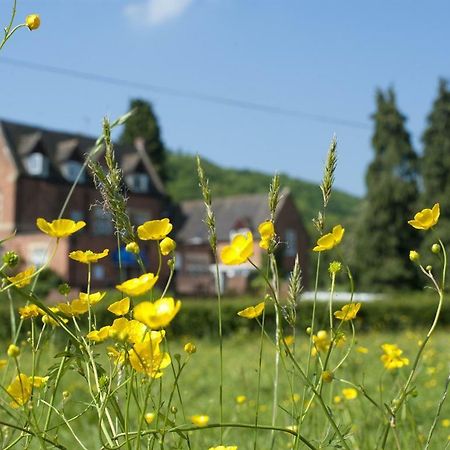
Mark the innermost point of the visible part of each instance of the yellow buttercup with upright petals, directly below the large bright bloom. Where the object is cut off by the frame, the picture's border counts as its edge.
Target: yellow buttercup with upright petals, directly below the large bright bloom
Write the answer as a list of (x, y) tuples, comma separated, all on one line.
[(146, 357)]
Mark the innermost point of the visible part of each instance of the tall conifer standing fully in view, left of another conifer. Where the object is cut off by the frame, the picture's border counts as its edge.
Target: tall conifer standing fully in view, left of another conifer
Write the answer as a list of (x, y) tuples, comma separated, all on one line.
[(384, 238)]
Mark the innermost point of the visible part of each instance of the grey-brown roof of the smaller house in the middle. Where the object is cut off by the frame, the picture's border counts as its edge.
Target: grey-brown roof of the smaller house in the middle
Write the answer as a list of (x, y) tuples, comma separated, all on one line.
[(231, 213)]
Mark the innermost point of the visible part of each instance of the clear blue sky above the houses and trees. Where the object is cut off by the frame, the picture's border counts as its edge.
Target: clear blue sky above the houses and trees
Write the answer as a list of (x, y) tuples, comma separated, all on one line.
[(322, 58)]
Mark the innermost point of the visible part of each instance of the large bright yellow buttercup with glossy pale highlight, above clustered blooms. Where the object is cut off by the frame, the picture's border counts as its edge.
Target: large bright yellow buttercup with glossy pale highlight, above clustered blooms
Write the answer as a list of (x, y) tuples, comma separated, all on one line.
[(157, 314)]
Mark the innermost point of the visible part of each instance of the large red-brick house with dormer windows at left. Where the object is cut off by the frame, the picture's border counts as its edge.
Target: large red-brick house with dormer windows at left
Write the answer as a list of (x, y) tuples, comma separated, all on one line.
[(37, 170)]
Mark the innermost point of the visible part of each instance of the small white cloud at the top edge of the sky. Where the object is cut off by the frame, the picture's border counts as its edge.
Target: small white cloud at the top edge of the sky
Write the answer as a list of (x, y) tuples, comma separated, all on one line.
[(156, 12)]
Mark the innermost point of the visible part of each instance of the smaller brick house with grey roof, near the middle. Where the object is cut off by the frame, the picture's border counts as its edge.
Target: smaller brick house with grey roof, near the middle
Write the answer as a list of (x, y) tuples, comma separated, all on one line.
[(237, 214)]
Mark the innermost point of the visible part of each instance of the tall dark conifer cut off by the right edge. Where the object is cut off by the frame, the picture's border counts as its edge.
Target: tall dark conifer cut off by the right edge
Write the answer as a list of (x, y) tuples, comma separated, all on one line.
[(436, 163)]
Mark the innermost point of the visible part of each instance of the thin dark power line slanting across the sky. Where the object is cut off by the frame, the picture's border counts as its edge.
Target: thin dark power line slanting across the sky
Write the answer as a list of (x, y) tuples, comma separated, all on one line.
[(174, 92)]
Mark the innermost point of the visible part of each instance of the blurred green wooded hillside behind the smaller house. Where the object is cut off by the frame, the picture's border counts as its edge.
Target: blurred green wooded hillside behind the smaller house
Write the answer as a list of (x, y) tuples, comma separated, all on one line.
[(183, 185)]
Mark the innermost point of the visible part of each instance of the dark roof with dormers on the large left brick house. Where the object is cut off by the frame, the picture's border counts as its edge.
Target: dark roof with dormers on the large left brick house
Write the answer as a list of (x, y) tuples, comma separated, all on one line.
[(60, 147)]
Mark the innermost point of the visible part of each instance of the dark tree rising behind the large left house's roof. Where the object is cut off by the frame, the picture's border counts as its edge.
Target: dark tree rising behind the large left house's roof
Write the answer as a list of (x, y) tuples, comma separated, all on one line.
[(144, 124)]
